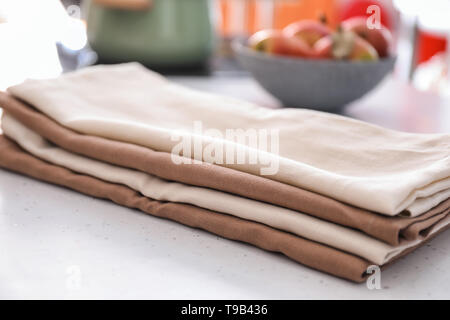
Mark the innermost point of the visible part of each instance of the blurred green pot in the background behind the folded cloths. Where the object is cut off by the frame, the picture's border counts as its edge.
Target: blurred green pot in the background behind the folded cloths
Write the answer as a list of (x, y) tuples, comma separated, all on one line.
[(157, 33)]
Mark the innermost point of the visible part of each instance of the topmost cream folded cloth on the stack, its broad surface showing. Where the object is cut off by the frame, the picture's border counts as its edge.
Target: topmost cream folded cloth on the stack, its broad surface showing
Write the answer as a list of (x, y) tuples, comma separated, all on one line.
[(355, 162)]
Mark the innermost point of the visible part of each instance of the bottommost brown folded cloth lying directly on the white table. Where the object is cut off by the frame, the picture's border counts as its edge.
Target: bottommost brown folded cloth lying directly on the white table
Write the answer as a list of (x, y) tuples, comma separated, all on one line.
[(306, 252)]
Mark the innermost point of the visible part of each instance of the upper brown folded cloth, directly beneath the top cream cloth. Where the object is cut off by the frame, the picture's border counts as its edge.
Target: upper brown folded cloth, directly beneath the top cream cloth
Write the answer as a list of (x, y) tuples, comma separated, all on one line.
[(389, 229)]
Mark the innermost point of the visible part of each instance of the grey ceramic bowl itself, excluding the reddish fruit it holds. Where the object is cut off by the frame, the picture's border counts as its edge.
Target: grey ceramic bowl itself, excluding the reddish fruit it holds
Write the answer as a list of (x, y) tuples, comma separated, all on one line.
[(325, 85)]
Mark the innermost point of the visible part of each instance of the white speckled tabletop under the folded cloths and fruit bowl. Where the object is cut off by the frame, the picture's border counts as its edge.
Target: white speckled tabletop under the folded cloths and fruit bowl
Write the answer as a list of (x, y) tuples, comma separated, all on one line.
[(56, 243)]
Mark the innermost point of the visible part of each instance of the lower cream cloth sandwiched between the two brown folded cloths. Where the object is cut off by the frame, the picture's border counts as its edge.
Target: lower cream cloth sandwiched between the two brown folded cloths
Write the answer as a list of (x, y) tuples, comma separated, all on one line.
[(298, 223)]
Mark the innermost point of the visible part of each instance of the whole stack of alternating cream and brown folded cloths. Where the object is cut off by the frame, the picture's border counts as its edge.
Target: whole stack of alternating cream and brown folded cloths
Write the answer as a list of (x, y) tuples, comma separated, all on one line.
[(345, 194)]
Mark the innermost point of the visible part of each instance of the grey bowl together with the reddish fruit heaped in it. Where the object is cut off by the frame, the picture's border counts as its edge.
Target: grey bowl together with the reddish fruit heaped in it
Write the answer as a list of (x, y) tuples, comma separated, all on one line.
[(307, 65)]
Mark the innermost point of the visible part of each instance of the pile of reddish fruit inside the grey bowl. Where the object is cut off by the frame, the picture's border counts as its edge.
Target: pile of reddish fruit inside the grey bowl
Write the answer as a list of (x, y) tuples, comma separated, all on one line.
[(353, 40)]
